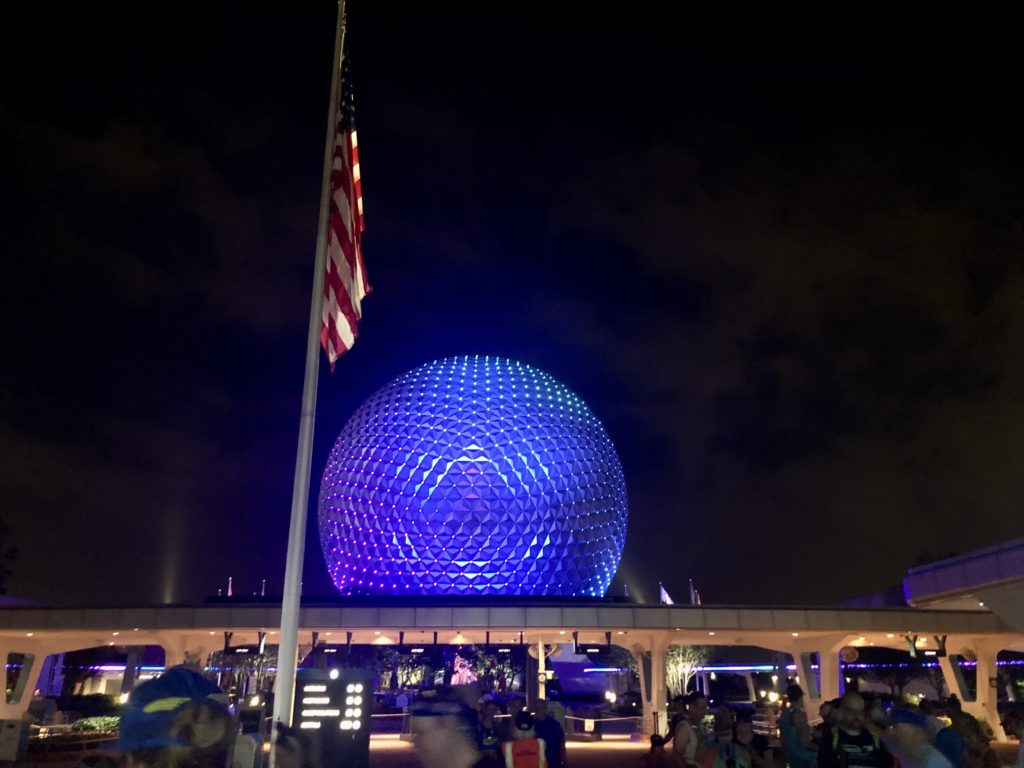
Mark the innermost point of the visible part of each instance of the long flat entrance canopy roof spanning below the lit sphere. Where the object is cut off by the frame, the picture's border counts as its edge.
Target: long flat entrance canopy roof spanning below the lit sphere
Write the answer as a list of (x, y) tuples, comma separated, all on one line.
[(501, 622)]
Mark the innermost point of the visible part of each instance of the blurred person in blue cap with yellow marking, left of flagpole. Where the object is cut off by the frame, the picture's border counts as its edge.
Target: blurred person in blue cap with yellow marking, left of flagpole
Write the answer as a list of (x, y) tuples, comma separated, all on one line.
[(178, 720)]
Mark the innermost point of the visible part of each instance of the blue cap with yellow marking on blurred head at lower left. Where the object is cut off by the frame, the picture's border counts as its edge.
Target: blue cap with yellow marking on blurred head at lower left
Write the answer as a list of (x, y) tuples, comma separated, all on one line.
[(148, 717)]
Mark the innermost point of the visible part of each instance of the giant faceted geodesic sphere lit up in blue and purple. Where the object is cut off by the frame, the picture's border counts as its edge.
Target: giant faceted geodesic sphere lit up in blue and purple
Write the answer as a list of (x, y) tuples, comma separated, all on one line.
[(474, 477)]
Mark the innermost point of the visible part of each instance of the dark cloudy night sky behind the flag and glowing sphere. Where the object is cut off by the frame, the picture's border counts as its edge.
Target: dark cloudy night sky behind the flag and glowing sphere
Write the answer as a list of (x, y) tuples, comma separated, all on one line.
[(780, 253)]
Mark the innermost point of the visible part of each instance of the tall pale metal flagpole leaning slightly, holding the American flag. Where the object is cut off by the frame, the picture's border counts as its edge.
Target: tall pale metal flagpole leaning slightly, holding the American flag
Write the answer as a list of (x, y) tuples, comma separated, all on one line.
[(288, 649)]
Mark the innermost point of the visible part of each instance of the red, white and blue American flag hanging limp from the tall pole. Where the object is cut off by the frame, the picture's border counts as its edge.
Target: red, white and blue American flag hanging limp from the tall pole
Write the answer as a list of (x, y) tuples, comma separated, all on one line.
[(346, 283)]
